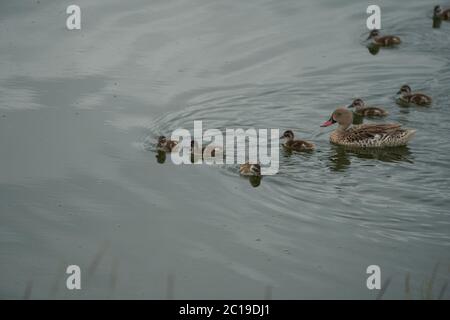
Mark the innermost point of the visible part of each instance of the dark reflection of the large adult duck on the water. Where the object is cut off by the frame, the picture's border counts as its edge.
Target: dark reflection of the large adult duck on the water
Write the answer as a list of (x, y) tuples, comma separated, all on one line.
[(340, 157)]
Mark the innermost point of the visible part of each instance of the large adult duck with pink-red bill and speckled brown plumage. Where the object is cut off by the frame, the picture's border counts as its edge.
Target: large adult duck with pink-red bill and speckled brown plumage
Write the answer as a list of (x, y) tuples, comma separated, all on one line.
[(366, 135)]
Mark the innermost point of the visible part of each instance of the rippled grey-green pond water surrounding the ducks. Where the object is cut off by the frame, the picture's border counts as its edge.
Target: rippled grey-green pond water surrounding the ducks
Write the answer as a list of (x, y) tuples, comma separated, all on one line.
[(80, 183)]
